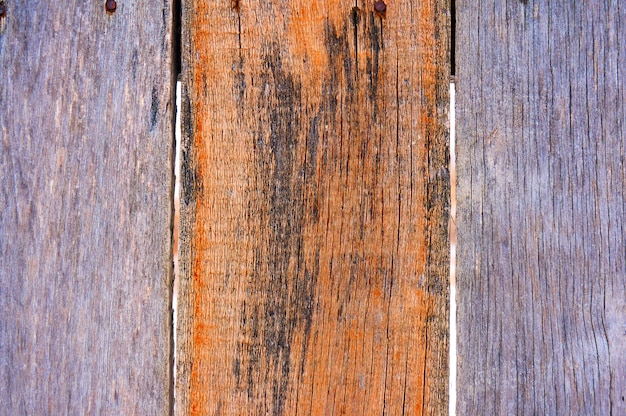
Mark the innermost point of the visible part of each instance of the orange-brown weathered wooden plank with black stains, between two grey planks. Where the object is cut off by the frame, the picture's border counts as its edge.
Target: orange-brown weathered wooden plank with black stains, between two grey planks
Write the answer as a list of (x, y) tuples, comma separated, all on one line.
[(314, 208)]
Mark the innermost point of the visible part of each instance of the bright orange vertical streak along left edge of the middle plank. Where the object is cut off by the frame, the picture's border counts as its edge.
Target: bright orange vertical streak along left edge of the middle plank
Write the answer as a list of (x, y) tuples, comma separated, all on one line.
[(205, 330)]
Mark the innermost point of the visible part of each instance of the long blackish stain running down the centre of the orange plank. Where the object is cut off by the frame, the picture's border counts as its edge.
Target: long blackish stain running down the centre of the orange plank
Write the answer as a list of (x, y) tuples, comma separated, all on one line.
[(288, 309)]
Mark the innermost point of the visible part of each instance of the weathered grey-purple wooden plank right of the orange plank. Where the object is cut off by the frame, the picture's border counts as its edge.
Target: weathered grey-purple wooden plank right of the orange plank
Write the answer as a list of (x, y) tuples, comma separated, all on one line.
[(541, 233)]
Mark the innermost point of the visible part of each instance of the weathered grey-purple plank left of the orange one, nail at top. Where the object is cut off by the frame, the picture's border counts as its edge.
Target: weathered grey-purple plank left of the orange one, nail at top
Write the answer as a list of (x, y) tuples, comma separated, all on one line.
[(85, 208)]
